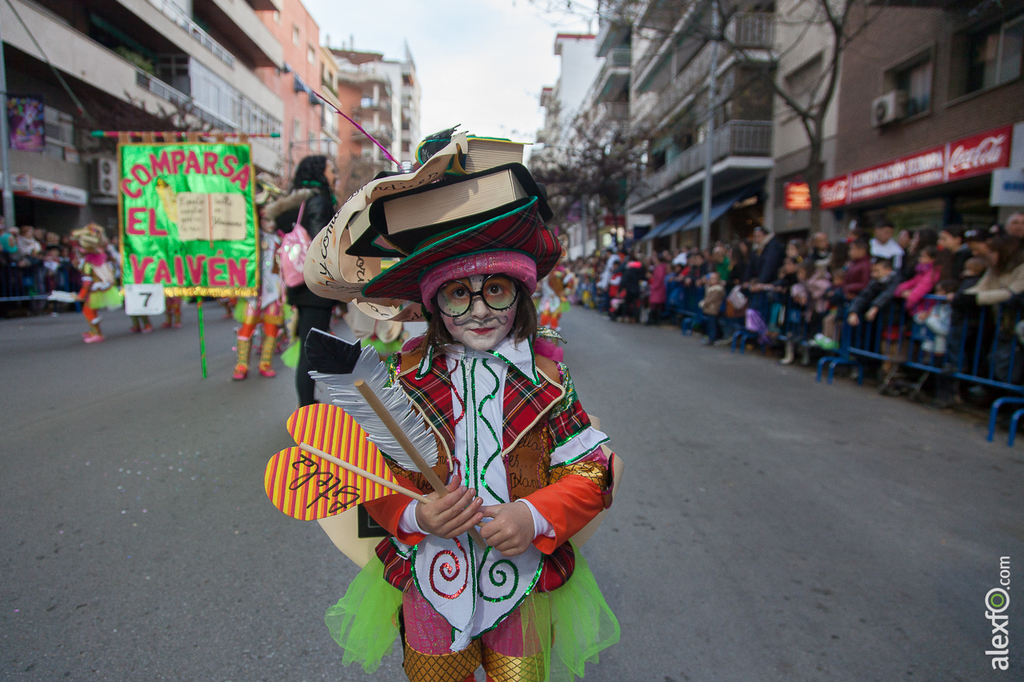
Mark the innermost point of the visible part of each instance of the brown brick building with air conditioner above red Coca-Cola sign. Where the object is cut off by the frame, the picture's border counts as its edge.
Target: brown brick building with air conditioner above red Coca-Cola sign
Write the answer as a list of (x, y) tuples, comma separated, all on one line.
[(932, 117)]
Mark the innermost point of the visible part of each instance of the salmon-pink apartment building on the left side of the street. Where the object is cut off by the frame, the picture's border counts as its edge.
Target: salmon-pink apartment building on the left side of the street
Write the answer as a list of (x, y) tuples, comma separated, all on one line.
[(300, 74)]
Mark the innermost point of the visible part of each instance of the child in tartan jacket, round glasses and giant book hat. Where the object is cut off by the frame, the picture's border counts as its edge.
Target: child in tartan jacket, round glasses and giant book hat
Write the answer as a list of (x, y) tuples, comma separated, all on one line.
[(517, 450)]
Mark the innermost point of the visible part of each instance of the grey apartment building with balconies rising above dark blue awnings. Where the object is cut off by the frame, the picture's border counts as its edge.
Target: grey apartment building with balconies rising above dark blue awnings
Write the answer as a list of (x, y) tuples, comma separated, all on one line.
[(671, 100)]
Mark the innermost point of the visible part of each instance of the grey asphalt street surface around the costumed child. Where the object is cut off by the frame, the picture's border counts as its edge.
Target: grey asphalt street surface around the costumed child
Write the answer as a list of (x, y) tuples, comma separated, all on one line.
[(769, 528)]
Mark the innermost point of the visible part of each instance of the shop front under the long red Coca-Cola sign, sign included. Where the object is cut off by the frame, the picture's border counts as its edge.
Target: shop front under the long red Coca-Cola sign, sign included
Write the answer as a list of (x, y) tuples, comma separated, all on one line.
[(942, 186)]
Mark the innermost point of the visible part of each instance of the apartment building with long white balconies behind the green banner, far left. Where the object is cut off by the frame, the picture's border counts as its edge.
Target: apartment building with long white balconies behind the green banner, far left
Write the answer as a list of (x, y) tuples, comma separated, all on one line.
[(133, 65)]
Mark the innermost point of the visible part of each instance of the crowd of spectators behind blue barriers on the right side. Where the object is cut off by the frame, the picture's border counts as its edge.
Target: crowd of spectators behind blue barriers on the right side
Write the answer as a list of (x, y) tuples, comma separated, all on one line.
[(940, 279)]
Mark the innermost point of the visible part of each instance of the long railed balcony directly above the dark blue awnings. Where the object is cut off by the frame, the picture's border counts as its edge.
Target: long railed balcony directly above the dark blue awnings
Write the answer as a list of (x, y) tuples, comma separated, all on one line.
[(737, 139)]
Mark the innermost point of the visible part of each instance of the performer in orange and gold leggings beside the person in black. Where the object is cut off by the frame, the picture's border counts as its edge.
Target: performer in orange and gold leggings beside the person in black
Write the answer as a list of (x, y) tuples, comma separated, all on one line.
[(267, 309)]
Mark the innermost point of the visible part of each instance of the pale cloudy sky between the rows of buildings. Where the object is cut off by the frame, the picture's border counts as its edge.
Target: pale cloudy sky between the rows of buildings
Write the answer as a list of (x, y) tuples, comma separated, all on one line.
[(482, 63)]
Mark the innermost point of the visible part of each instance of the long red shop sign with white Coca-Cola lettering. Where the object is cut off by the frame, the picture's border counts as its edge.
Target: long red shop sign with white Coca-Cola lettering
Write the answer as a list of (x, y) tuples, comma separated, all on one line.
[(965, 158)]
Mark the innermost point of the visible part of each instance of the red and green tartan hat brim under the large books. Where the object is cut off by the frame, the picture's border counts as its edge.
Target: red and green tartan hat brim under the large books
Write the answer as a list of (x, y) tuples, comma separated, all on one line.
[(520, 231)]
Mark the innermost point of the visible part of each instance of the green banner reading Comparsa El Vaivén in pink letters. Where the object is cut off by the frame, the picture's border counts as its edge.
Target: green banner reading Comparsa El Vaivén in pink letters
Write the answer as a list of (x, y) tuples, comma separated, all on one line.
[(188, 220)]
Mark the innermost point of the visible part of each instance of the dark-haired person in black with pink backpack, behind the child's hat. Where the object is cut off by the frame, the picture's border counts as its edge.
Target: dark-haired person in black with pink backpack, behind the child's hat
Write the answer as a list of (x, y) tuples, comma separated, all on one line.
[(313, 186)]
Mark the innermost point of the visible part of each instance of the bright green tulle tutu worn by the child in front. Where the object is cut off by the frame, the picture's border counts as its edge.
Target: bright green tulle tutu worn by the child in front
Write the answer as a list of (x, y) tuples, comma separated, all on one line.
[(575, 623)]
